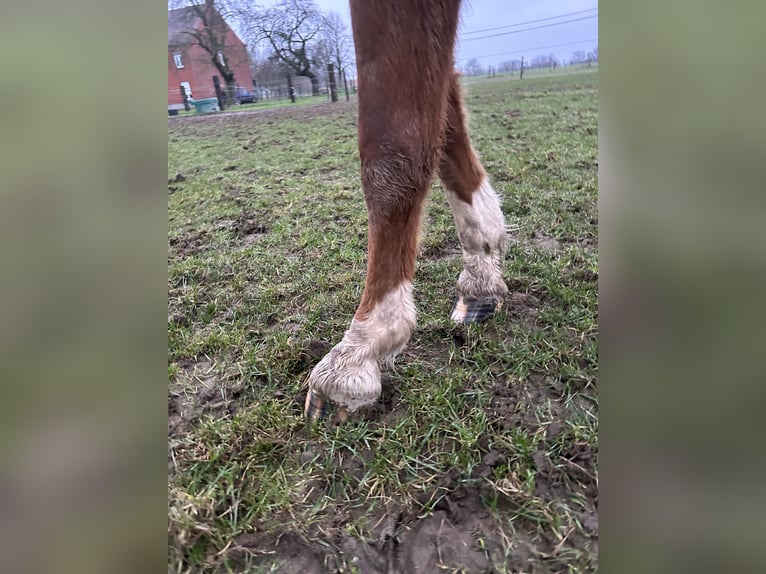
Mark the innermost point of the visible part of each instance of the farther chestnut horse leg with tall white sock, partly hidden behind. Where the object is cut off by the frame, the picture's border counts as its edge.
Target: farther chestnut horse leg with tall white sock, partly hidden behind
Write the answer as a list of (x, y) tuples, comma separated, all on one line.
[(478, 218)]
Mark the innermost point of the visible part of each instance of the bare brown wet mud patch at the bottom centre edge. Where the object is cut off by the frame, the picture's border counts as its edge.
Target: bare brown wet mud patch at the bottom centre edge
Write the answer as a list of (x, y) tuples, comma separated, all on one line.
[(459, 536)]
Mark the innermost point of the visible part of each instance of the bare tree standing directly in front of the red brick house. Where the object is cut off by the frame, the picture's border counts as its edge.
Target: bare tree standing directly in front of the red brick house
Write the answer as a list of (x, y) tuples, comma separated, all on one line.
[(212, 36)]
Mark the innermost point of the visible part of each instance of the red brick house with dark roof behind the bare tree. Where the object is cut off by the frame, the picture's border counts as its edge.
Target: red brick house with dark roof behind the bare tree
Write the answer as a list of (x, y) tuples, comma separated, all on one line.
[(190, 65)]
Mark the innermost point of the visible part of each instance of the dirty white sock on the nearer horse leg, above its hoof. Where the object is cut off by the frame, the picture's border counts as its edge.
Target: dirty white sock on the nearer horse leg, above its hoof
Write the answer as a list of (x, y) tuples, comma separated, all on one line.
[(349, 374)]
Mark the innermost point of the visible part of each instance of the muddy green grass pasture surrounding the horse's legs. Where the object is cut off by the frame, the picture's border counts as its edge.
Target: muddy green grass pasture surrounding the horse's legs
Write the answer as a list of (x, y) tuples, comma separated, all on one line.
[(481, 455)]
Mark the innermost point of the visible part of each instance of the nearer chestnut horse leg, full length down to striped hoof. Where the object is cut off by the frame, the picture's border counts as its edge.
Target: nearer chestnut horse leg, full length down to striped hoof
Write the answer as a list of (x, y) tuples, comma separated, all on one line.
[(402, 111)]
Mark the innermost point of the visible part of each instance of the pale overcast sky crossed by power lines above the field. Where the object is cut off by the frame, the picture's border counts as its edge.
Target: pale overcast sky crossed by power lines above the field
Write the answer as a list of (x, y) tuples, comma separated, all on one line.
[(483, 14)]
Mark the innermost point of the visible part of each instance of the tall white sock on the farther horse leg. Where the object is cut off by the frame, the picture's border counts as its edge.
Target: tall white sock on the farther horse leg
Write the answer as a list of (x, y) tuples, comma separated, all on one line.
[(483, 237)]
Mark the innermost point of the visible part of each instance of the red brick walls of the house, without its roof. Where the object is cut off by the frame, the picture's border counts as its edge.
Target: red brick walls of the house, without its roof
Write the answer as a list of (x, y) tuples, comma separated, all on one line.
[(199, 71)]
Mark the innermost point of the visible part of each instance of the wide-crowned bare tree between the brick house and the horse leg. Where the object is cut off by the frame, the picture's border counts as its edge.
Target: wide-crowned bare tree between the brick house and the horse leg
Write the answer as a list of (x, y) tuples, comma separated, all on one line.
[(292, 29)]
